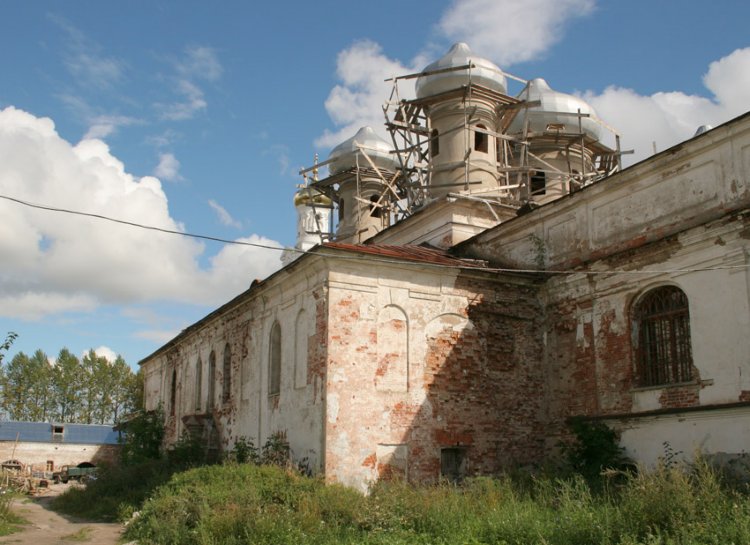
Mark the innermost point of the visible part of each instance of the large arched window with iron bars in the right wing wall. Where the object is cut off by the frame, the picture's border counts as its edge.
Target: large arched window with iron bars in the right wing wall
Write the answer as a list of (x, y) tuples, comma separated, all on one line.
[(663, 351)]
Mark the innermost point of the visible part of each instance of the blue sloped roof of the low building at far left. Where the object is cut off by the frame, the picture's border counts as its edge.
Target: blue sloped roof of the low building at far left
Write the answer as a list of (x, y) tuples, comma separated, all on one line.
[(41, 432)]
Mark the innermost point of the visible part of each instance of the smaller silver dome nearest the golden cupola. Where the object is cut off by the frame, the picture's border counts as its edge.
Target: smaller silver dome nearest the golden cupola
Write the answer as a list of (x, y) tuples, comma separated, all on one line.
[(350, 153)]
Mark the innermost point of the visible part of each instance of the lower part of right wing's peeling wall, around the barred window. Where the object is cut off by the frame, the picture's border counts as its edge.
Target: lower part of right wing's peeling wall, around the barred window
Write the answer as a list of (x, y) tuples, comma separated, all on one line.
[(590, 334)]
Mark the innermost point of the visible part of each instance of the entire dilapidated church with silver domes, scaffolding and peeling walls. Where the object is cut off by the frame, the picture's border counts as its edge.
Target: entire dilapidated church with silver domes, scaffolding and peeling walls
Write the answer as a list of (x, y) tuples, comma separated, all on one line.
[(457, 294)]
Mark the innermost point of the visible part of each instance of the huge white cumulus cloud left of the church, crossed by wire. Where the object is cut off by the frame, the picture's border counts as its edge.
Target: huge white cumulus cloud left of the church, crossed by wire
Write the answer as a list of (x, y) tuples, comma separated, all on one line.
[(54, 262)]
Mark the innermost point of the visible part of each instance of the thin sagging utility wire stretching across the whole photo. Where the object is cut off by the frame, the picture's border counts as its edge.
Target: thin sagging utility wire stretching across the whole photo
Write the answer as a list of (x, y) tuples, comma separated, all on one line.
[(369, 259)]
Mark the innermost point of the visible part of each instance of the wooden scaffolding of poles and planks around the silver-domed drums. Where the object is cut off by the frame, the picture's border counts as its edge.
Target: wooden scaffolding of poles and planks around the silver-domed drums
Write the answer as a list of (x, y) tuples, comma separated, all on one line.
[(408, 123)]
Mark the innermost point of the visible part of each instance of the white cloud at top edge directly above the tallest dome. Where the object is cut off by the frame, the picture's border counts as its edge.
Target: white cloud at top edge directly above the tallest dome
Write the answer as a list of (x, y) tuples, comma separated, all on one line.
[(509, 31)]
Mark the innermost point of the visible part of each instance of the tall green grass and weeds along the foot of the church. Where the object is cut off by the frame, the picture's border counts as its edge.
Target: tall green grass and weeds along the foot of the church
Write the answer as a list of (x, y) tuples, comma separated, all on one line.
[(233, 504)]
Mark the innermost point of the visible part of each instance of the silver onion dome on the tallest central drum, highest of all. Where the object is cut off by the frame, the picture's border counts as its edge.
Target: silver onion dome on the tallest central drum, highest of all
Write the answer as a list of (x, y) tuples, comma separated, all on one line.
[(483, 72)]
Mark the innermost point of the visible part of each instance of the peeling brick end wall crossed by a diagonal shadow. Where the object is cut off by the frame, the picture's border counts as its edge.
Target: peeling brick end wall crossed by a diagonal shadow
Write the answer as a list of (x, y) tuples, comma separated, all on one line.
[(420, 360)]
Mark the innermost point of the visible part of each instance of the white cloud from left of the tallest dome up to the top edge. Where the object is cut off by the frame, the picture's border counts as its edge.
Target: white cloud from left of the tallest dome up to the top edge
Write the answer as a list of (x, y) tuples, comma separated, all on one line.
[(529, 29)]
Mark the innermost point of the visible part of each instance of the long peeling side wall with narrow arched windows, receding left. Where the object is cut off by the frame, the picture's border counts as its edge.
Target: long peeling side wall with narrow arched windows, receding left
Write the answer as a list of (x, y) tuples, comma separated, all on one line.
[(296, 299)]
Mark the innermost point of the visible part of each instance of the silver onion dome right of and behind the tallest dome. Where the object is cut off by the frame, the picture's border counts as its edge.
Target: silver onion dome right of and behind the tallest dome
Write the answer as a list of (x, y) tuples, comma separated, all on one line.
[(554, 112)]
